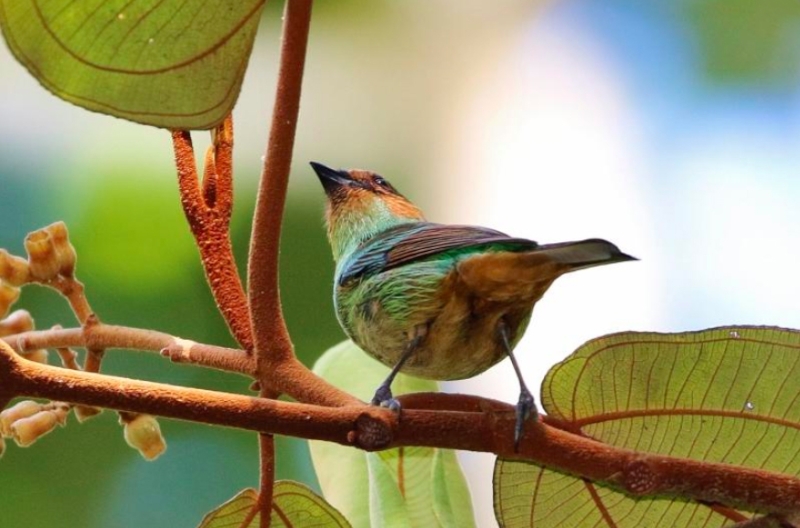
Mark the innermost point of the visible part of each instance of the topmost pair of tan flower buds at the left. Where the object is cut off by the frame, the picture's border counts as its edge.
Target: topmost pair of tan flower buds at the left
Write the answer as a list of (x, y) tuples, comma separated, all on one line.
[(50, 253)]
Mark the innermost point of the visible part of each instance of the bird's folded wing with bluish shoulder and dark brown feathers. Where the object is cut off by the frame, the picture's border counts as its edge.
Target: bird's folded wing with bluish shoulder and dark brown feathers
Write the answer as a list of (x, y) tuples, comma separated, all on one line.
[(417, 241)]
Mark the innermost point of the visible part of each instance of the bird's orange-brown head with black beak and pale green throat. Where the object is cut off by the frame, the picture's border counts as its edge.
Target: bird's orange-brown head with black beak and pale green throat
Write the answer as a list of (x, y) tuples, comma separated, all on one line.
[(360, 205)]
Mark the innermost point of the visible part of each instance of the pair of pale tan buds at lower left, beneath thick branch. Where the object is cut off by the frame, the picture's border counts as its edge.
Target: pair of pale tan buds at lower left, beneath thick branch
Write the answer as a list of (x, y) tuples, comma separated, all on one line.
[(27, 421)]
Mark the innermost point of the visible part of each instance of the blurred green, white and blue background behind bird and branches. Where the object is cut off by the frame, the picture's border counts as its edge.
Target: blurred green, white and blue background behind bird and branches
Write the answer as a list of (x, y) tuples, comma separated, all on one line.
[(671, 127)]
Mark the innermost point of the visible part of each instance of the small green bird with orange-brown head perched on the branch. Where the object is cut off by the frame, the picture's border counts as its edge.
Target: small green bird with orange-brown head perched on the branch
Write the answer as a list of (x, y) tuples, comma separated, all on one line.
[(436, 301)]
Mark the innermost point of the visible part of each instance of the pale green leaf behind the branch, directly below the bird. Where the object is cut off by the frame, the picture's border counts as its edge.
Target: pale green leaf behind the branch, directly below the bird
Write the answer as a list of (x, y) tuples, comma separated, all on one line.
[(410, 486)]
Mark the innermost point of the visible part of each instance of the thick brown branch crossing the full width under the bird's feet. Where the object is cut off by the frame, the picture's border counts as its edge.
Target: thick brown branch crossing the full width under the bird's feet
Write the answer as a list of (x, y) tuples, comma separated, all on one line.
[(638, 474)]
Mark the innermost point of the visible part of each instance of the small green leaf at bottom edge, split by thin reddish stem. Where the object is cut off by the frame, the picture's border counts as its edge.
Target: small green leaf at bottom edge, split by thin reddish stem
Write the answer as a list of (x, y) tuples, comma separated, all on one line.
[(294, 506)]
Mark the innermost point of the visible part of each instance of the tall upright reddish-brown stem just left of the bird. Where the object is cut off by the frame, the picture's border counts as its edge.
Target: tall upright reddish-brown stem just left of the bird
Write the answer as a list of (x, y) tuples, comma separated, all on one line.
[(278, 368)]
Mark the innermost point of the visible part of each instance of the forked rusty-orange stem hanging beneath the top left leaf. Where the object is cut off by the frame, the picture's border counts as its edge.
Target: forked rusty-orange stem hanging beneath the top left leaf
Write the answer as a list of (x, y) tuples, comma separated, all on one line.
[(208, 211)]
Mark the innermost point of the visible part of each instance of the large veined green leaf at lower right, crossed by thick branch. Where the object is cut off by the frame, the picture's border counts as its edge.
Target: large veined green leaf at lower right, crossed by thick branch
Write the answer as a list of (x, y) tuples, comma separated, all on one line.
[(723, 395)]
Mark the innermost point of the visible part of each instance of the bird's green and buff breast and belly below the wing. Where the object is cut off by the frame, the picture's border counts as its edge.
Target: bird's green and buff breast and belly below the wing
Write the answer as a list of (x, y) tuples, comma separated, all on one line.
[(383, 312)]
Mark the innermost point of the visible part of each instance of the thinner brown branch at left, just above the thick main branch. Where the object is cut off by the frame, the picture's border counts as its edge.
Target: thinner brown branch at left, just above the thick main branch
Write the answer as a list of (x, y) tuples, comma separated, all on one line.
[(104, 336)]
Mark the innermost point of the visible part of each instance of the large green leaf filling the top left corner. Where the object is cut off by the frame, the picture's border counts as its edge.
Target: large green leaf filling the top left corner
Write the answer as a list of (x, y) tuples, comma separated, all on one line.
[(173, 64)]
